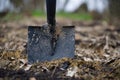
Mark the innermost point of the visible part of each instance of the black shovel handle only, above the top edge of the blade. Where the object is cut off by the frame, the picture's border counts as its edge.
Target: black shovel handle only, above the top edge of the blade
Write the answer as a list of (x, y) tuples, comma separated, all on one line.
[(51, 12)]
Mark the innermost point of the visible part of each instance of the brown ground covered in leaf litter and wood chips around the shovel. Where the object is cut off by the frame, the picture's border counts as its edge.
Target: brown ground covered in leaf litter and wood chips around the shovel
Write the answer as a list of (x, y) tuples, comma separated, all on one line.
[(97, 53)]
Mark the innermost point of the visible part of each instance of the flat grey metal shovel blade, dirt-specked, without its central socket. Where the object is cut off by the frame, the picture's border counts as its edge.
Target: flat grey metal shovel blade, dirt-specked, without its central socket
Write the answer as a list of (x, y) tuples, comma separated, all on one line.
[(39, 46)]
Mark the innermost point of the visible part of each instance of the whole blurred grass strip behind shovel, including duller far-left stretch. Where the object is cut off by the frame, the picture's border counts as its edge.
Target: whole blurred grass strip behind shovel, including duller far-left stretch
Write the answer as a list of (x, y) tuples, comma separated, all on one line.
[(37, 13)]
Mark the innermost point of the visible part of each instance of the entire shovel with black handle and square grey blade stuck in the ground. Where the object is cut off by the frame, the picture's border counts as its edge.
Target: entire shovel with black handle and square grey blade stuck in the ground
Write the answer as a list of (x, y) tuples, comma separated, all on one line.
[(43, 42)]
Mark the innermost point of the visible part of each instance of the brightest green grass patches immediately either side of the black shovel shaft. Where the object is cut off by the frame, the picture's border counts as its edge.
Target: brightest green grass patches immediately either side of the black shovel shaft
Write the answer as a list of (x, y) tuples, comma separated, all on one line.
[(73, 16)]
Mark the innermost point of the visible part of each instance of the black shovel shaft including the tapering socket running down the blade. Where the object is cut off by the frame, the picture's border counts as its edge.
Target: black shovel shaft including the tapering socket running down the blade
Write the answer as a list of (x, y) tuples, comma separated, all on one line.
[(51, 13)]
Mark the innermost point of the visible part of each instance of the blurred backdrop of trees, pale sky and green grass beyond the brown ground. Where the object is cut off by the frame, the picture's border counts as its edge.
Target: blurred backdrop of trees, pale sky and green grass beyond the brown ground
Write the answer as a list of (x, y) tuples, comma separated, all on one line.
[(108, 10)]
